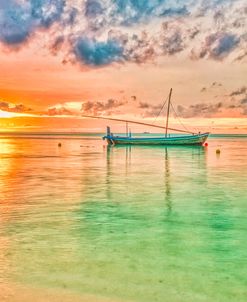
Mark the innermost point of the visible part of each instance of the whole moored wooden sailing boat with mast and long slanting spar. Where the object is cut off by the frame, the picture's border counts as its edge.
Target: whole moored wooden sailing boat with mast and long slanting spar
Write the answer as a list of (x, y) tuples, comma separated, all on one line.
[(189, 139)]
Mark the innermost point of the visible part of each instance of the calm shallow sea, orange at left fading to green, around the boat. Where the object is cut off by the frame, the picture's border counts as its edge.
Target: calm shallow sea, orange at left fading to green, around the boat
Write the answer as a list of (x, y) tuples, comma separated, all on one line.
[(135, 224)]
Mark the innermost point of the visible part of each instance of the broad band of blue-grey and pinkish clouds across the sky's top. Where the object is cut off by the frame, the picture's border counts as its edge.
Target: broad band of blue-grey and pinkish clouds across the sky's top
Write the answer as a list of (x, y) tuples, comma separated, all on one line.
[(103, 32)]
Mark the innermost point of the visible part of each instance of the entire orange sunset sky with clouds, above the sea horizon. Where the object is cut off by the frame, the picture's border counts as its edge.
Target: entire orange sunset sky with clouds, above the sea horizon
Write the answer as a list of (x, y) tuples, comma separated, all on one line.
[(61, 59)]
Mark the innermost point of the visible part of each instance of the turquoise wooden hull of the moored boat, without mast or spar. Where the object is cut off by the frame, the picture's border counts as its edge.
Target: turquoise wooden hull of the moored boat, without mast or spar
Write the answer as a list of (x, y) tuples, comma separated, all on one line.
[(197, 139)]
